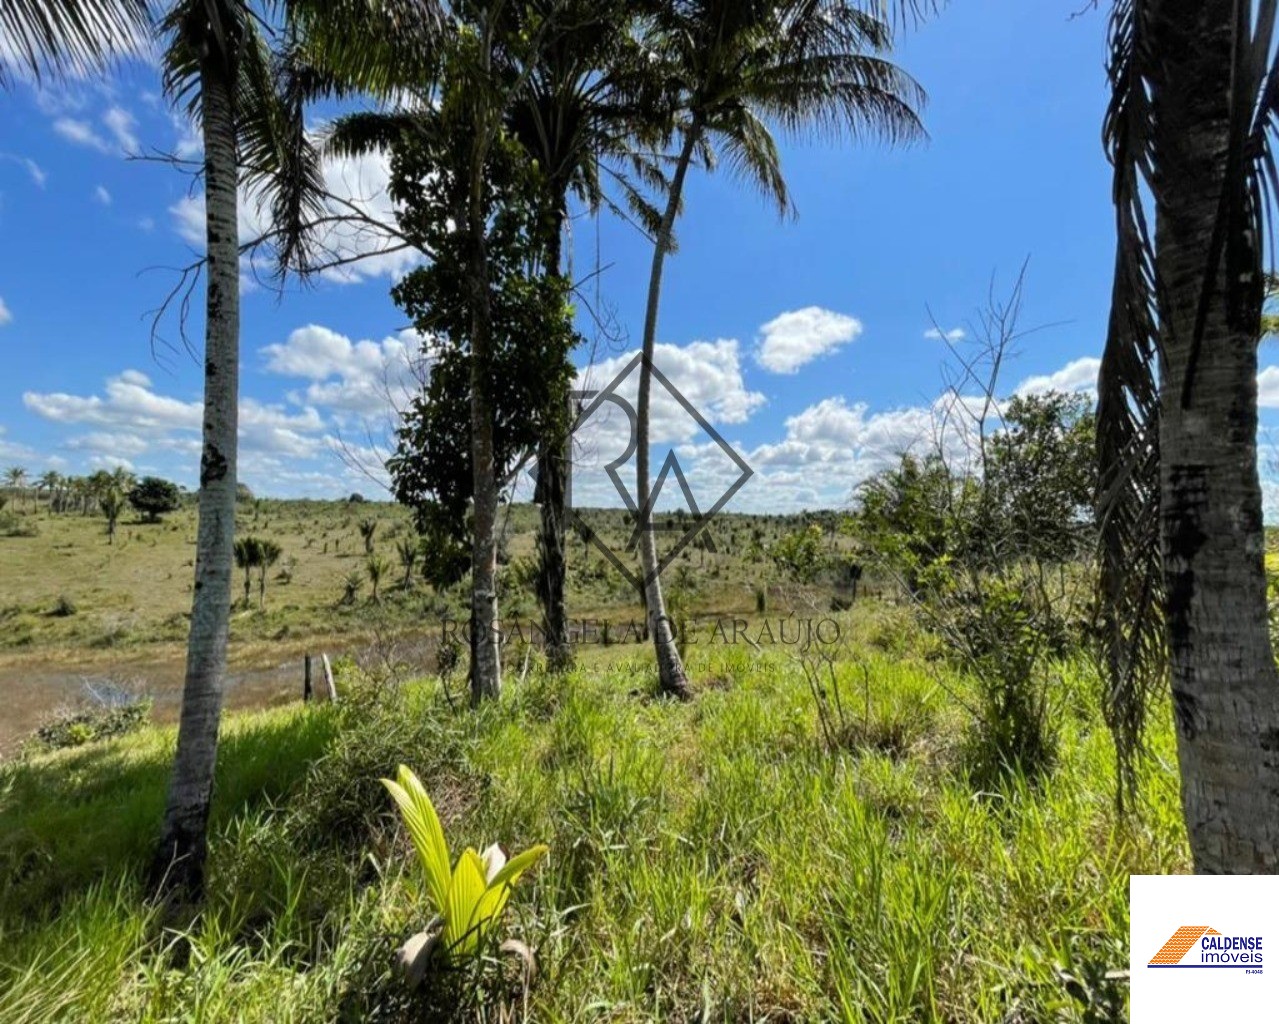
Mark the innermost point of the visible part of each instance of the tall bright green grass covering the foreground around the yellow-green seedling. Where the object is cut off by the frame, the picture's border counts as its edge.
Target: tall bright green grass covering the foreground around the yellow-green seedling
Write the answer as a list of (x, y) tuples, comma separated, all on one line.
[(717, 861)]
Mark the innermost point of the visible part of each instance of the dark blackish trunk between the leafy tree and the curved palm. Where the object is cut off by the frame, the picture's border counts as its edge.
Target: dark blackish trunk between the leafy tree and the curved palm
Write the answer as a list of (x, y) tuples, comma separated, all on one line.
[(553, 456)]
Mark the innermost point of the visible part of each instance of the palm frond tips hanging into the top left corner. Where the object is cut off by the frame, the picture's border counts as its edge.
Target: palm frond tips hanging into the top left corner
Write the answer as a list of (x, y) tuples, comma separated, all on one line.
[(40, 38)]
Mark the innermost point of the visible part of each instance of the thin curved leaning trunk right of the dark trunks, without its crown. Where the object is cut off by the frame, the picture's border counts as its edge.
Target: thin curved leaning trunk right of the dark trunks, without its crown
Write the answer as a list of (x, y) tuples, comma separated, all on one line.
[(671, 667)]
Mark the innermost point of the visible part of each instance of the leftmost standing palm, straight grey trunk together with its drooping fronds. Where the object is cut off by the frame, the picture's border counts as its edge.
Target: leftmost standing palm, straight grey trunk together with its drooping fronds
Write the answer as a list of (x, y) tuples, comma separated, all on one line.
[(219, 65)]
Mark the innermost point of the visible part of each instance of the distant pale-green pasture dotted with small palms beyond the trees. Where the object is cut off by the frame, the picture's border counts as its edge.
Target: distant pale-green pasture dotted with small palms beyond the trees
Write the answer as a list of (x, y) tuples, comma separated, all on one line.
[(75, 608)]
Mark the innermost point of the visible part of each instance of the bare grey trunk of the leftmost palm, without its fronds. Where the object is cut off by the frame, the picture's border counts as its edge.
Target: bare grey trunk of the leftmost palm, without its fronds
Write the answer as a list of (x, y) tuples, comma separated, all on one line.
[(180, 865)]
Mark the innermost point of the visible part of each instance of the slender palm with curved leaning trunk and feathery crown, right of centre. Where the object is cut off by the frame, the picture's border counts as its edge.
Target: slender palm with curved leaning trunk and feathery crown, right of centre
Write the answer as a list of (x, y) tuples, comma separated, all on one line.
[(812, 66)]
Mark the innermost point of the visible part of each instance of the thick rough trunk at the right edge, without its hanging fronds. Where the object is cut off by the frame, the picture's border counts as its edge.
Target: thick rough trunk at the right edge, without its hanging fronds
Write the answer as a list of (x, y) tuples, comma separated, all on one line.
[(1226, 688)]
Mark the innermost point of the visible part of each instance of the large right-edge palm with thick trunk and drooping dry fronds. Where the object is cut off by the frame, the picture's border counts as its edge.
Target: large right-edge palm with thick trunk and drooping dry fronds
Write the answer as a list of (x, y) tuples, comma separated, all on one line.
[(1195, 98)]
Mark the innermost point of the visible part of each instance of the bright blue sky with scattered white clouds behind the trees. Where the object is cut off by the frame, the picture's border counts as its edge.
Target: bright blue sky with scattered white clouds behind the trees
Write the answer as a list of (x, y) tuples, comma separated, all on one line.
[(805, 341)]
